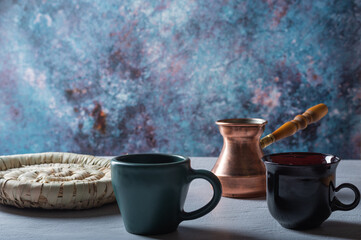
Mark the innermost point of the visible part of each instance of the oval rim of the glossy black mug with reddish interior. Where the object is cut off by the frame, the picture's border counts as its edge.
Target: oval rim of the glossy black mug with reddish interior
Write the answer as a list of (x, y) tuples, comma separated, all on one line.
[(266, 159)]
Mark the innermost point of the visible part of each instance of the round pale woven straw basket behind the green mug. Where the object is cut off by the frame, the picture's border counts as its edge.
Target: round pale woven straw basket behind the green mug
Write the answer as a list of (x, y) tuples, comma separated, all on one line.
[(55, 181)]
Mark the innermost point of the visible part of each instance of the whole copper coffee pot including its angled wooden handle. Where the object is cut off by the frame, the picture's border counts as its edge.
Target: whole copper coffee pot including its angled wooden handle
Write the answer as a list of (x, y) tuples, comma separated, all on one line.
[(239, 166)]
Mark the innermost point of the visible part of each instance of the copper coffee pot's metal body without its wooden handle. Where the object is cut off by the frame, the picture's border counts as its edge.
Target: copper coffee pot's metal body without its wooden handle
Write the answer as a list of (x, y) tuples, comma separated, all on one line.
[(239, 166)]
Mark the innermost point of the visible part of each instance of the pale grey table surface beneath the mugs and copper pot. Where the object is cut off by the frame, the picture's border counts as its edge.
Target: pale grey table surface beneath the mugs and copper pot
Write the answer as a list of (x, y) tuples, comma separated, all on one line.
[(231, 219)]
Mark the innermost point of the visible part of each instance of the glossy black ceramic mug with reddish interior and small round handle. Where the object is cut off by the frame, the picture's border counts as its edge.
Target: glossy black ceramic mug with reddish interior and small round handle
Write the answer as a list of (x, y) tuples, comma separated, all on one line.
[(301, 188)]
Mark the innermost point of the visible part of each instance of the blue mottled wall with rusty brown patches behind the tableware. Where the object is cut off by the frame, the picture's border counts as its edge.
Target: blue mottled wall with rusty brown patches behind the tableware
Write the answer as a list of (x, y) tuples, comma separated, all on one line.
[(115, 77)]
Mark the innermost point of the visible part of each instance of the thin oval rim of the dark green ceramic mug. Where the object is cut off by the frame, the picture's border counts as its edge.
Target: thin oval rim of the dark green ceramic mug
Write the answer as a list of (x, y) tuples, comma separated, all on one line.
[(121, 160)]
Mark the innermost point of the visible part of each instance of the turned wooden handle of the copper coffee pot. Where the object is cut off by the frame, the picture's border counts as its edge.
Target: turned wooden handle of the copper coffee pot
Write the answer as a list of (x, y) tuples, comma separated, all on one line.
[(311, 115)]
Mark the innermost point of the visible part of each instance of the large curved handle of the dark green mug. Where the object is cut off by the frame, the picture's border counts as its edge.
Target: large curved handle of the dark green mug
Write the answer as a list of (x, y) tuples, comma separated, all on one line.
[(217, 194)]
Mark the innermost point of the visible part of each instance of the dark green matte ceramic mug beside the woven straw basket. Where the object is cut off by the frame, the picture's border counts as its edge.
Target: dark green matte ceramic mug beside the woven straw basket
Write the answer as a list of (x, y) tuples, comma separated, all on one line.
[(151, 190)]
